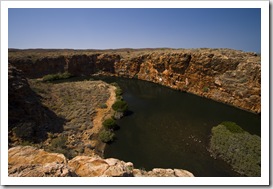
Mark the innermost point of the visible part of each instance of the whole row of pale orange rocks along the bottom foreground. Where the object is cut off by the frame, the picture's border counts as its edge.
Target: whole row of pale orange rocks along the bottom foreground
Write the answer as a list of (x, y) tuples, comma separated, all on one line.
[(27, 161)]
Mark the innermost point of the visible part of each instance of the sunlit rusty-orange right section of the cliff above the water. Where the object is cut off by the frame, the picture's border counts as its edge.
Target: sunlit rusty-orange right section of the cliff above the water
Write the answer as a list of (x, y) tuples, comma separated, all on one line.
[(231, 77)]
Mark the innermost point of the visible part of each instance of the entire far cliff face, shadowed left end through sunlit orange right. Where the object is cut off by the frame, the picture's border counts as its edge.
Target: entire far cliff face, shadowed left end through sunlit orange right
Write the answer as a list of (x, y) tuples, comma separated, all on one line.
[(225, 75)]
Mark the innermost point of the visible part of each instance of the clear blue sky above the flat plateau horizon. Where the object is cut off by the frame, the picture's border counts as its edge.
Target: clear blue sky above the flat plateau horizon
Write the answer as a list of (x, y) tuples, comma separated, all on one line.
[(238, 28)]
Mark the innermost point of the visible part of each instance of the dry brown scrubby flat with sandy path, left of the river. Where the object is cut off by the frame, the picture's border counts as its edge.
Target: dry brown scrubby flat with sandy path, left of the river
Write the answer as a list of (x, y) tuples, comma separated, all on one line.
[(80, 104)]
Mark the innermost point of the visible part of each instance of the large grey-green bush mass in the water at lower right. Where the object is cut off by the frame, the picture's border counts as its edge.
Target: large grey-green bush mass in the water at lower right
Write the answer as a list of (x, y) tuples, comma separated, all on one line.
[(237, 147)]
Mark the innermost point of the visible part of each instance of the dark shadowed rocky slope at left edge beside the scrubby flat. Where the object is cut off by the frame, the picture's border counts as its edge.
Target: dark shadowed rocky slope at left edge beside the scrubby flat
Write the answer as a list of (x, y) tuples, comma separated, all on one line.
[(28, 119)]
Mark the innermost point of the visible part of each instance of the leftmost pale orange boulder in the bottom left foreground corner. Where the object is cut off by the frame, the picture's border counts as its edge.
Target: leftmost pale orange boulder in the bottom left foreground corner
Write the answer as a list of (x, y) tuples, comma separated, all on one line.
[(28, 161)]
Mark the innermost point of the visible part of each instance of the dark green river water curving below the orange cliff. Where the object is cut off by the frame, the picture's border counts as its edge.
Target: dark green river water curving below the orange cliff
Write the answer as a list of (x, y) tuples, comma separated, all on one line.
[(171, 129)]
